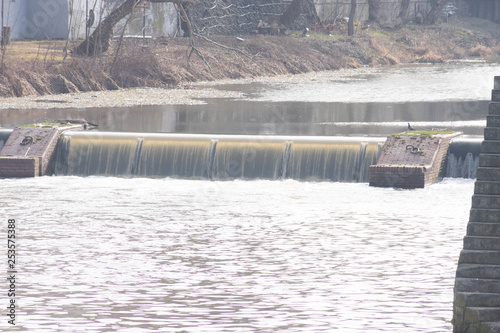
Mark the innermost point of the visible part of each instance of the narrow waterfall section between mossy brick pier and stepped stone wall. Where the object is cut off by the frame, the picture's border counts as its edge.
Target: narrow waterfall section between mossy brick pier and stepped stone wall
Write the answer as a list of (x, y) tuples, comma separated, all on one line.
[(463, 157)]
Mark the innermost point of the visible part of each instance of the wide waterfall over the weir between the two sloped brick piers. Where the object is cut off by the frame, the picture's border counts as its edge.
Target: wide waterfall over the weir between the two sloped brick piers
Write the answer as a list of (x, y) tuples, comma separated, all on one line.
[(217, 157)]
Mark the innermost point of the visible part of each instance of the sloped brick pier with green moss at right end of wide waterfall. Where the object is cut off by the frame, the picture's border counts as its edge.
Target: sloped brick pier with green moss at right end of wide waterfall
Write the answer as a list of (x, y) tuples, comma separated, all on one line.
[(411, 161)]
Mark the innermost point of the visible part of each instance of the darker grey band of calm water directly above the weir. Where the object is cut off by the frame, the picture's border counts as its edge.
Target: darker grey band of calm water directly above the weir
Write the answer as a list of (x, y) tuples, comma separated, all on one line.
[(273, 118)]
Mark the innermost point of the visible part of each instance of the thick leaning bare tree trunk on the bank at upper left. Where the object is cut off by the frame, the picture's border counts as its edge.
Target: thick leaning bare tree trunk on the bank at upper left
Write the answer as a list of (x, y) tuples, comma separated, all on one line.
[(98, 42)]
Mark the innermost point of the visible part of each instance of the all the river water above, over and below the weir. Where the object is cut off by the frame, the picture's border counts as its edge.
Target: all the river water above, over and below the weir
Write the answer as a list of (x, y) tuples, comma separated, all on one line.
[(134, 254)]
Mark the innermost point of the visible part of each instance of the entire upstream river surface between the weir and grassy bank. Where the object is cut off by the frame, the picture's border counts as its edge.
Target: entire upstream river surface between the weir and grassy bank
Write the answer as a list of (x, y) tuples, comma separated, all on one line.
[(347, 103)]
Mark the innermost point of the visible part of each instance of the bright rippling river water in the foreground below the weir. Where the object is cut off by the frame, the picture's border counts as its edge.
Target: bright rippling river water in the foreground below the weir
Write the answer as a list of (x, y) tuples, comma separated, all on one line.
[(145, 255)]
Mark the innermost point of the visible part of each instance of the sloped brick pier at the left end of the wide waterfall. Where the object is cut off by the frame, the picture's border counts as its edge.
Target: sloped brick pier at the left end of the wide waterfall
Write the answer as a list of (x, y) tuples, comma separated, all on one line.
[(30, 151)]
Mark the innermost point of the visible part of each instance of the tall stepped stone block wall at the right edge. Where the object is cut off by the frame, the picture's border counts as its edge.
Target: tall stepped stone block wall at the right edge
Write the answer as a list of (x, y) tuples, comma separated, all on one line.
[(476, 307)]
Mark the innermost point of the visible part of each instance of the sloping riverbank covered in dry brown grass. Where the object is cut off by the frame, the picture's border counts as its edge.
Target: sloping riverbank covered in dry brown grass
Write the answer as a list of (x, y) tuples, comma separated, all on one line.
[(163, 64)]
